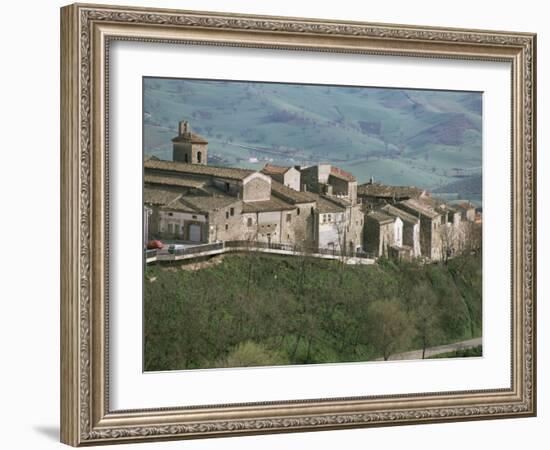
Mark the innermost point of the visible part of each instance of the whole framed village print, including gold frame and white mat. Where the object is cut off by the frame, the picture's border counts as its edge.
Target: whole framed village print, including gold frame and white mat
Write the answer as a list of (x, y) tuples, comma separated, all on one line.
[(278, 224)]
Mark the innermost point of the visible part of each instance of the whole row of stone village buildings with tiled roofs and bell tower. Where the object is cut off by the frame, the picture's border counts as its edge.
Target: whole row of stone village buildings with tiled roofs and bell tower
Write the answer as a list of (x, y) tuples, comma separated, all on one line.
[(315, 208)]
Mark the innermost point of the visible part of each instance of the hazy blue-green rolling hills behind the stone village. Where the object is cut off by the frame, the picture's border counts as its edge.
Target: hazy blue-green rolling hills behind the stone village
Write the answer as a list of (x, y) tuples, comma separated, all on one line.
[(398, 136)]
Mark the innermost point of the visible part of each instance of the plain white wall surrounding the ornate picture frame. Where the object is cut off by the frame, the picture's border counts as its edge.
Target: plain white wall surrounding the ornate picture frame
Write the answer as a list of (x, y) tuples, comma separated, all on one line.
[(29, 327)]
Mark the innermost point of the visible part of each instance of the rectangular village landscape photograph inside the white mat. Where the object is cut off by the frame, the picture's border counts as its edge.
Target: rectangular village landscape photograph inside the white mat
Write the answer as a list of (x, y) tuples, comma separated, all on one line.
[(296, 224)]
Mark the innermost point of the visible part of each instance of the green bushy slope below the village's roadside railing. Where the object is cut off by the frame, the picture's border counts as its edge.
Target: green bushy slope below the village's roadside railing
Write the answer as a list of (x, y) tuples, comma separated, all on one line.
[(257, 309)]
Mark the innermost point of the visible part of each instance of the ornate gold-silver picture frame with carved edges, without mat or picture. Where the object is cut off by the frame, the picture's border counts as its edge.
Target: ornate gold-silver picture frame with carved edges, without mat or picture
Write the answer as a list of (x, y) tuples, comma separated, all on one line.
[(87, 32)]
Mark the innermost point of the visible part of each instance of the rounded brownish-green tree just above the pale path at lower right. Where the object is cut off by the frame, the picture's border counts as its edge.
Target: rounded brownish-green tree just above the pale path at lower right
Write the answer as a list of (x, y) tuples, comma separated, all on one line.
[(388, 327)]
